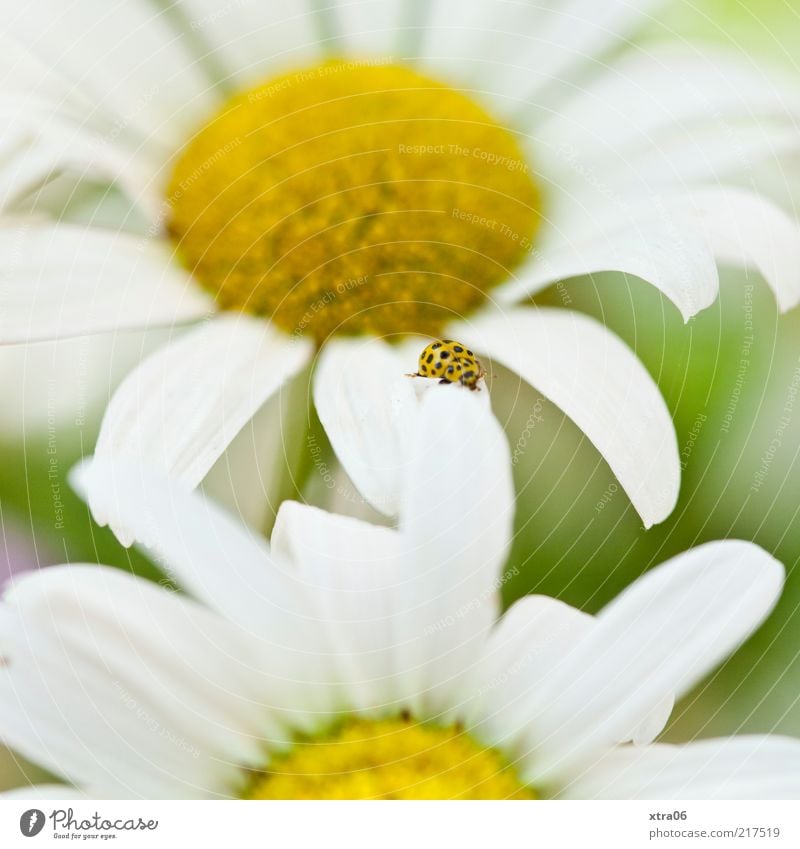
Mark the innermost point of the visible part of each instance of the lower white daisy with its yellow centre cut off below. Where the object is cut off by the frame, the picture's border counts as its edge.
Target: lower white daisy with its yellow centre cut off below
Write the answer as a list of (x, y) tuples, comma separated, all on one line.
[(347, 660)]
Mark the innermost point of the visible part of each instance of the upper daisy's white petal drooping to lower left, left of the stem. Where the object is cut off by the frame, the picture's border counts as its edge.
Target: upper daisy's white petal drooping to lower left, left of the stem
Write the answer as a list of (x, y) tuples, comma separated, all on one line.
[(181, 408)]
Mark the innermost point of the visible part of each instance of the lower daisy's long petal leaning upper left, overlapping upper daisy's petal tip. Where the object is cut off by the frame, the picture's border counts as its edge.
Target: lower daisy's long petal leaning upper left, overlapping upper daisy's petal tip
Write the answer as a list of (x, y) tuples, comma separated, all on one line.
[(232, 570)]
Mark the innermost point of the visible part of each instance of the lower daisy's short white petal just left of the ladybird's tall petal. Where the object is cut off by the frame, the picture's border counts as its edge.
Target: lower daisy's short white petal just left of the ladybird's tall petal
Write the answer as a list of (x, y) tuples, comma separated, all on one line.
[(356, 567)]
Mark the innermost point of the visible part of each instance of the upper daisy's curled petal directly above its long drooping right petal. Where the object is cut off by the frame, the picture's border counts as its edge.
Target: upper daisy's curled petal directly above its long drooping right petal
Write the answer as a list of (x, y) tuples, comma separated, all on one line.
[(590, 232)]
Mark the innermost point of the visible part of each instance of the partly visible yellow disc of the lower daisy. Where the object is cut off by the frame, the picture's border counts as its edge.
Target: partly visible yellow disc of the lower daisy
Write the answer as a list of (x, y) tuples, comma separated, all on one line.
[(390, 759)]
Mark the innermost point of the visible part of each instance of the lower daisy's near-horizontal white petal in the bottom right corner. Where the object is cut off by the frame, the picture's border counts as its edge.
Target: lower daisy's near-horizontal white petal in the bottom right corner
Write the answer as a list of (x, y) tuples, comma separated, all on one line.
[(745, 767)]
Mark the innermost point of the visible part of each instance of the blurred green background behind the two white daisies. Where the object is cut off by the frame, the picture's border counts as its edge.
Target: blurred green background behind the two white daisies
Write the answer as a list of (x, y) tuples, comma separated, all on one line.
[(577, 538)]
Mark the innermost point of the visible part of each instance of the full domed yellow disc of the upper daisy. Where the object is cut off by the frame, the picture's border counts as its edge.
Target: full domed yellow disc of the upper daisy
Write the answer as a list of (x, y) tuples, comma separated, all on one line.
[(351, 198)]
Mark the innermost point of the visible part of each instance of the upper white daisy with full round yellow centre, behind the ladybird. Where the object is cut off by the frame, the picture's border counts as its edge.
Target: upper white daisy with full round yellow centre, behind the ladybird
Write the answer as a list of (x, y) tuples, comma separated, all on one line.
[(451, 161)]
